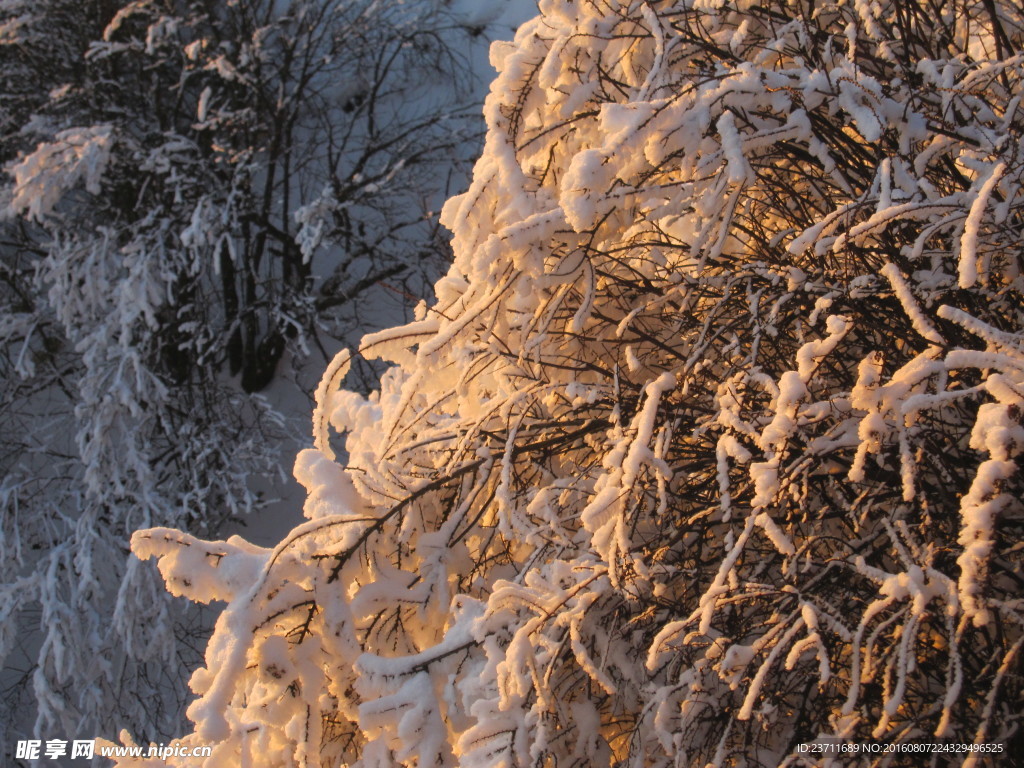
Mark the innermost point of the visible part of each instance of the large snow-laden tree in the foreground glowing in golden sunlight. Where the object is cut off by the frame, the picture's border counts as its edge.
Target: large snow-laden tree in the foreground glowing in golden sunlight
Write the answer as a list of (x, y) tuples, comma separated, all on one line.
[(710, 445)]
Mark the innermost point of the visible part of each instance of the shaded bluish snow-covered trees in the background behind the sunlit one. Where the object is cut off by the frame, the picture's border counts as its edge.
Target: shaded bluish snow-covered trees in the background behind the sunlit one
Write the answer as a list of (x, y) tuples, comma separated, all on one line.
[(178, 177)]
